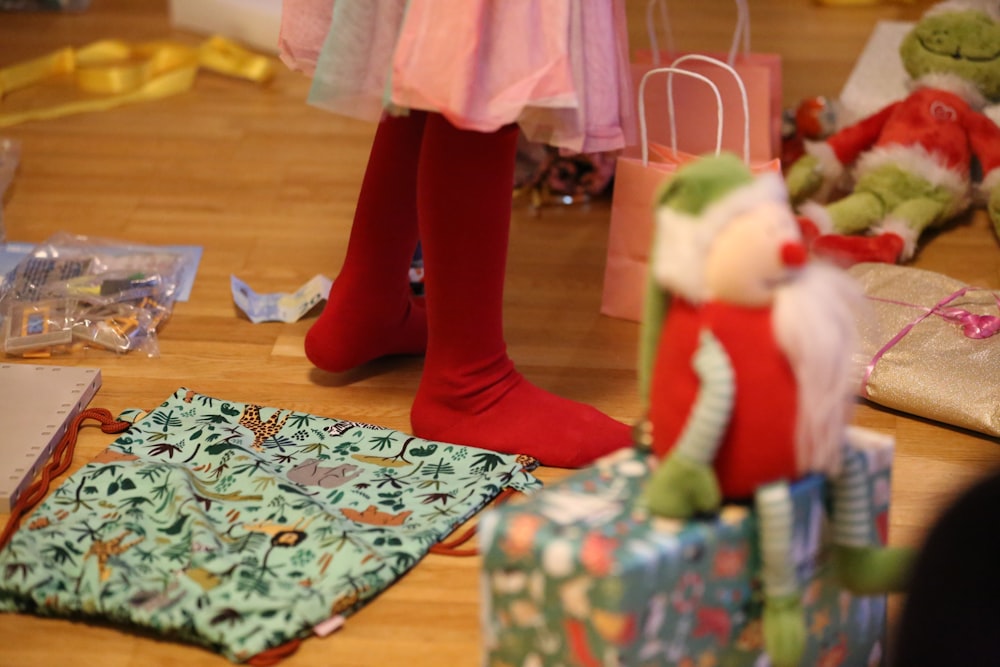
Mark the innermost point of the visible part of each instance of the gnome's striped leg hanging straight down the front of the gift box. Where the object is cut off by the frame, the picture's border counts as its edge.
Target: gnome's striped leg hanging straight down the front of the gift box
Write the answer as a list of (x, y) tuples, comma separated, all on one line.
[(783, 619)]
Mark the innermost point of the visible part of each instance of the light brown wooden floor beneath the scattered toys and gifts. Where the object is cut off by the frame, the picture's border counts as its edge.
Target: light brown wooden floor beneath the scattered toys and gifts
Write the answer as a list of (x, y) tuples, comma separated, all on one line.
[(266, 185)]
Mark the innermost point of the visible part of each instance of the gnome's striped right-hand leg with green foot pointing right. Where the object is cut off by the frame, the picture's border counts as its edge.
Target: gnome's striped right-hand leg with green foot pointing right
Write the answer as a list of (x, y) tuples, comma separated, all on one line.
[(860, 566)]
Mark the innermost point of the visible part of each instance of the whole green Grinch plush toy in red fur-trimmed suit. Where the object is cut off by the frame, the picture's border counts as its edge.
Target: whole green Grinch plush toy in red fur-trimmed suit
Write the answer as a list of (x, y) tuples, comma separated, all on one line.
[(915, 161)]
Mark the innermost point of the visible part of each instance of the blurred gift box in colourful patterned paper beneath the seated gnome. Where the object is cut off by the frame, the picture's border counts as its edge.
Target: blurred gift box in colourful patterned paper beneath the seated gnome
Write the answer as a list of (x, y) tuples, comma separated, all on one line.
[(579, 575)]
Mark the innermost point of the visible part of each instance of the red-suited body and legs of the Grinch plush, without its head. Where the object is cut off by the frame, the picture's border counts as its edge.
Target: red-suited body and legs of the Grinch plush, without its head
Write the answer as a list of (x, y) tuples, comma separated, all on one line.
[(934, 135)]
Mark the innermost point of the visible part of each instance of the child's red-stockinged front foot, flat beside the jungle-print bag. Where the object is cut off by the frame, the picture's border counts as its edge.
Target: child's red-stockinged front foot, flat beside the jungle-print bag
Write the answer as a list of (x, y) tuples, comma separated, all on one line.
[(513, 416)]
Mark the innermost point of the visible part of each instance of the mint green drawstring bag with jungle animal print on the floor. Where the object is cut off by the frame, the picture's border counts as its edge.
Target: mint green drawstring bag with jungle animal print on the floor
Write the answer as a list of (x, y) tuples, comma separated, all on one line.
[(241, 528)]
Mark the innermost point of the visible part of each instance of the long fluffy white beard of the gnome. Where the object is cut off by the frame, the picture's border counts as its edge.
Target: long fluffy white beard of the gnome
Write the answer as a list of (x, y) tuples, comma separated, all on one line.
[(816, 323)]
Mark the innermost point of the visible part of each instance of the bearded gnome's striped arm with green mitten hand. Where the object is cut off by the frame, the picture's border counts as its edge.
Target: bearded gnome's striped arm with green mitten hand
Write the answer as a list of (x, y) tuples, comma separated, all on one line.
[(685, 482)]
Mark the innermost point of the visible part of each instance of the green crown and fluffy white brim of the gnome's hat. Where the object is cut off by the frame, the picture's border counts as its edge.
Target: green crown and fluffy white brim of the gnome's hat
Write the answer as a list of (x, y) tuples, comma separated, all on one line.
[(701, 198)]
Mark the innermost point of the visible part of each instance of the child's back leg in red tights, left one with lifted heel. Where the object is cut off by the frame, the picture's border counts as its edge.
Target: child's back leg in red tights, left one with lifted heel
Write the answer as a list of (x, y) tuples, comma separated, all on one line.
[(371, 311)]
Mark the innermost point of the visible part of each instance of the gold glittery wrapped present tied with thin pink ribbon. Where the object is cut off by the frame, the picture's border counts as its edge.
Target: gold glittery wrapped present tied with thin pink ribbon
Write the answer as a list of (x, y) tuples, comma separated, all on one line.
[(932, 347)]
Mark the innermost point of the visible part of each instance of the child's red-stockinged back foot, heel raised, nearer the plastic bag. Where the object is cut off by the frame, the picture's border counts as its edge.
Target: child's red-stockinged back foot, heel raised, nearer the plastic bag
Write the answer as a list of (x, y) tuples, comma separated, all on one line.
[(351, 331)]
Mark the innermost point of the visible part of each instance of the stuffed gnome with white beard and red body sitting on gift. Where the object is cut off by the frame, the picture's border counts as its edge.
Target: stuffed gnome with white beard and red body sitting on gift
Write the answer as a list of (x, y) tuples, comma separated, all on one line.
[(747, 372)]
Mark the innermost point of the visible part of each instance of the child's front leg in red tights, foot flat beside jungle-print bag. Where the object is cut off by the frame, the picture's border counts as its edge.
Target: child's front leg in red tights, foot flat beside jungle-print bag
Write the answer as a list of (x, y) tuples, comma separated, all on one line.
[(470, 392)]
